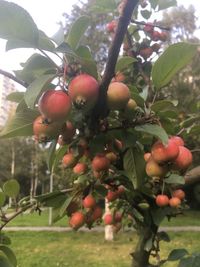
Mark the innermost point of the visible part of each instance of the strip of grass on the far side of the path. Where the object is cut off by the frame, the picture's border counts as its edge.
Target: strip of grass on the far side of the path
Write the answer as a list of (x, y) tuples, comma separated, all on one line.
[(189, 218)]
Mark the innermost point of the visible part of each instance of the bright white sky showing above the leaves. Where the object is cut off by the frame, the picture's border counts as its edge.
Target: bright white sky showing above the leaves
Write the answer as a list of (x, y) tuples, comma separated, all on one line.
[(47, 14)]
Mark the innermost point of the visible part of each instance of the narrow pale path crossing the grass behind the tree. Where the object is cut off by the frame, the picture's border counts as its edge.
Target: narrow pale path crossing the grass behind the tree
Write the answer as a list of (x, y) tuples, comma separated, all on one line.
[(96, 229)]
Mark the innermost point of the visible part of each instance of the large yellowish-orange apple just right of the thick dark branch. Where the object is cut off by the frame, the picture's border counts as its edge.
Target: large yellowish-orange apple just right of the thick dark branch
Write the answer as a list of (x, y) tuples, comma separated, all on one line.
[(118, 95)]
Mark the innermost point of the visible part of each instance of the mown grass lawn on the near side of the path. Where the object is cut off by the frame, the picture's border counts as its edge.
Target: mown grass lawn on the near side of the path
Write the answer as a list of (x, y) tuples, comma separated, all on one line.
[(80, 249)]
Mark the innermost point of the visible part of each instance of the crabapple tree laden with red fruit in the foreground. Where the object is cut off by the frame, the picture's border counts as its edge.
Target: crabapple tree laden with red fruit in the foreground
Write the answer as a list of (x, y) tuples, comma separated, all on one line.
[(113, 135)]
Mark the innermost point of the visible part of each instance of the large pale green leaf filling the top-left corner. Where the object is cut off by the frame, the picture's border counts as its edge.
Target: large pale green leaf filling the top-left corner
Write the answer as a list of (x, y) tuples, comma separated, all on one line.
[(17, 24)]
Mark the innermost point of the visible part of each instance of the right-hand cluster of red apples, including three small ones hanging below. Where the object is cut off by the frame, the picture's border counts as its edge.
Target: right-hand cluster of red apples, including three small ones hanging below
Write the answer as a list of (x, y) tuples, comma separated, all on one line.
[(164, 158)]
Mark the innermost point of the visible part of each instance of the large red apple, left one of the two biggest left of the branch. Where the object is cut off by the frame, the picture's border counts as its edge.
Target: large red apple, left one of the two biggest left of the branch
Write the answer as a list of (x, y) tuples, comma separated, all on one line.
[(54, 105)]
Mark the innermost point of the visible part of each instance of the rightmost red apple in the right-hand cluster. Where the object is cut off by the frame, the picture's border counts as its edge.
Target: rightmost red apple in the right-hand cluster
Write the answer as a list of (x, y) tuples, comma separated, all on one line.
[(184, 159)]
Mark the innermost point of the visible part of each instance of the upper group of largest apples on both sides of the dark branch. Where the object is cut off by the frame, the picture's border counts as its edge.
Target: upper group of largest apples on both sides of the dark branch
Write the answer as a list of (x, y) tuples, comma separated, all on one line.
[(82, 94)]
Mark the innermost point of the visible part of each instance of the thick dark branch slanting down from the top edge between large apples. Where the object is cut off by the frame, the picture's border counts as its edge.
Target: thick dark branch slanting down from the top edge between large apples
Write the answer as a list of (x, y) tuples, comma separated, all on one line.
[(100, 109)]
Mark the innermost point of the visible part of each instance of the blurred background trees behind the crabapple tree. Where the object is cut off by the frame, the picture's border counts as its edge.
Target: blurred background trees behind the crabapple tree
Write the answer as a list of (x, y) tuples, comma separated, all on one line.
[(22, 159)]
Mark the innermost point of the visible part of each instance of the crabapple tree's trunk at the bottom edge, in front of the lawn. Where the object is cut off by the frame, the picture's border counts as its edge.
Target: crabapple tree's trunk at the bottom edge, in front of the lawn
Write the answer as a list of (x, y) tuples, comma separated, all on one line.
[(140, 257)]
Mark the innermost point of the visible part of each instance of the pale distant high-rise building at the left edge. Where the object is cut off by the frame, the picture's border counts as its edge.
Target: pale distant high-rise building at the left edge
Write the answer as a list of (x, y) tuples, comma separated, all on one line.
[(7, 108)]
